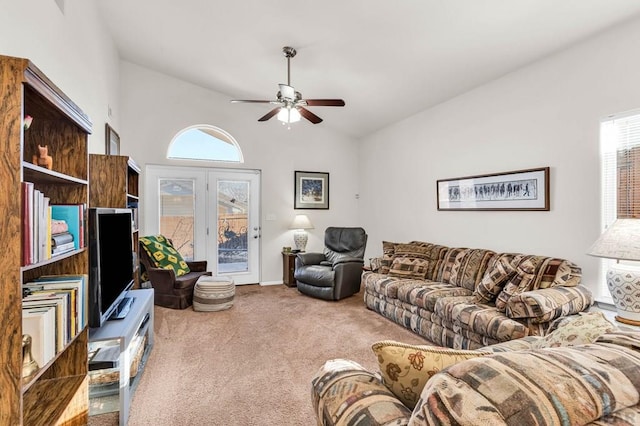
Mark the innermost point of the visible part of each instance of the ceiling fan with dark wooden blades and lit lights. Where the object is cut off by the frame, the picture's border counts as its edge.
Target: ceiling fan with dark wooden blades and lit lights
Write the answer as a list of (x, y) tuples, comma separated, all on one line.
[(291, 106)]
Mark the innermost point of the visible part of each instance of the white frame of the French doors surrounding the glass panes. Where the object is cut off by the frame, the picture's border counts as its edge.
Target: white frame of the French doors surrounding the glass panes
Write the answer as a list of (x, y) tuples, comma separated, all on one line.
[(205, 223)]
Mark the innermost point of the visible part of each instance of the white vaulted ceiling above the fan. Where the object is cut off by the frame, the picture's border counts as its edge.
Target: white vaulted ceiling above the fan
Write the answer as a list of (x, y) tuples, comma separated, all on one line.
[(387, 59)]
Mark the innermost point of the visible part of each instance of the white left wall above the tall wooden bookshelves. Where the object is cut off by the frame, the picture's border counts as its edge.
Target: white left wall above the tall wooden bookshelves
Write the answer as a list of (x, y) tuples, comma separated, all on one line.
[(72, 49)]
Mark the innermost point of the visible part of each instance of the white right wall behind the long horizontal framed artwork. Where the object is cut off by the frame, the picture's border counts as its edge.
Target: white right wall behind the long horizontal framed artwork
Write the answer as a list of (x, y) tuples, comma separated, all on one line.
[(546, 114)]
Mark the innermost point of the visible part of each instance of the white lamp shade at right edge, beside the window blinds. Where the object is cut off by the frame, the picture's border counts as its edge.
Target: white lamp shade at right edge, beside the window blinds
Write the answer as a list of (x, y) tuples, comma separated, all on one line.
[(620, 241)]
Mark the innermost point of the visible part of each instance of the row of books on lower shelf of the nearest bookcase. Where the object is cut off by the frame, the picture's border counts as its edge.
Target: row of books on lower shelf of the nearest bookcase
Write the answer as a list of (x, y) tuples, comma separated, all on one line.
[(53, 313)]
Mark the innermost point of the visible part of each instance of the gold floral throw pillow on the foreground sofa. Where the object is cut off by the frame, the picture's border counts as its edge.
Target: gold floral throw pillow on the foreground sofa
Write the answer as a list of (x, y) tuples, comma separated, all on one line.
[(406, 368)]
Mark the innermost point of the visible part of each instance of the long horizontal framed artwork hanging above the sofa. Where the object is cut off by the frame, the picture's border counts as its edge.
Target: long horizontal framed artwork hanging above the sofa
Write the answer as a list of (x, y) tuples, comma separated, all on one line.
[(517, 190)]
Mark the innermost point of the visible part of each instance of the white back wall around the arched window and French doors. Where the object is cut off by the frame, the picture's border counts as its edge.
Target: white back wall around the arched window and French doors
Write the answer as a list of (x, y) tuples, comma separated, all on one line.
[(155, 107)]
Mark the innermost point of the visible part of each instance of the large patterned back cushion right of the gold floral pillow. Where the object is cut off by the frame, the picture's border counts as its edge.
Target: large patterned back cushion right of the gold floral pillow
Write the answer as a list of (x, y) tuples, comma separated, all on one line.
[(568, 385)]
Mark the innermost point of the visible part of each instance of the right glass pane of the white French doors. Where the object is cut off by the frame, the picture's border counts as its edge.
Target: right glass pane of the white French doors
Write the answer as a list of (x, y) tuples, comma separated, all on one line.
[(233, 210)]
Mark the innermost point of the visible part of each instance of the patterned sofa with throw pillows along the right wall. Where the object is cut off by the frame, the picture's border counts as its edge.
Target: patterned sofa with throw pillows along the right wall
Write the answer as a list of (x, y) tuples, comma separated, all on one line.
[(468, 298)]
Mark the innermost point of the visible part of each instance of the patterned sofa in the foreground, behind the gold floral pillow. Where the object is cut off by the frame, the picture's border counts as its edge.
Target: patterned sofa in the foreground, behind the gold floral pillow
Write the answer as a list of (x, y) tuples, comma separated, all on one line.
[(588, 384)]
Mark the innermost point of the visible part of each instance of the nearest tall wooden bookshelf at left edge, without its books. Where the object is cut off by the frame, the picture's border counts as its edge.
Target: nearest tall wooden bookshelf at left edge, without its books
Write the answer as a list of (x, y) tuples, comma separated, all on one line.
[(58, 392)]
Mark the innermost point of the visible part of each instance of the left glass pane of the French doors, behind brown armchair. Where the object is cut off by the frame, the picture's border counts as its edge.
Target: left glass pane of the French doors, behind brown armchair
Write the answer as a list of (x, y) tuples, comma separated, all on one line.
[(177, 205)]
